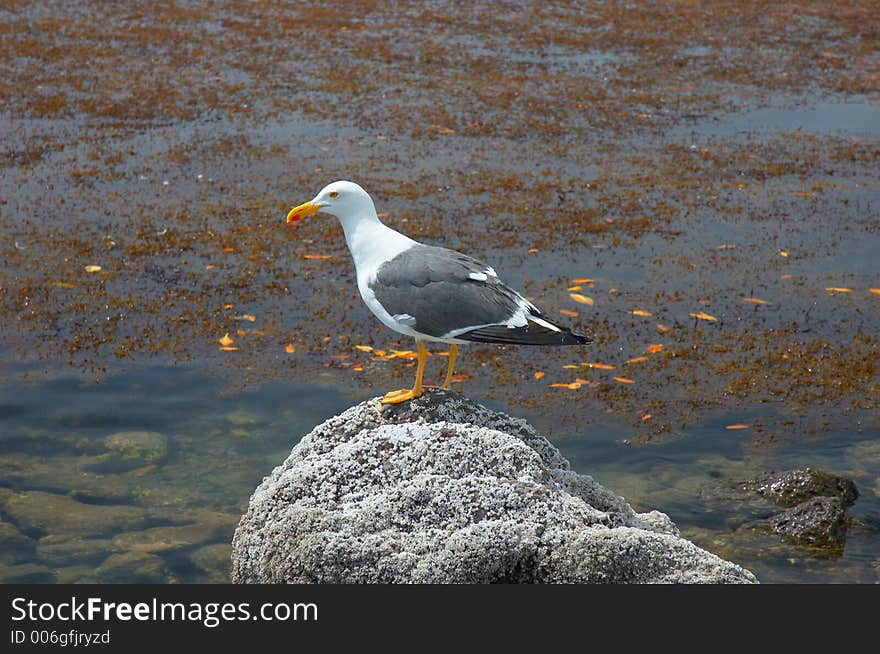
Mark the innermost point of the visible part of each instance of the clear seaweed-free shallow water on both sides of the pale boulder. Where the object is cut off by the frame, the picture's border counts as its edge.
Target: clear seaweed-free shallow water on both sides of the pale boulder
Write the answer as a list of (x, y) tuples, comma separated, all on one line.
[(143, 477)]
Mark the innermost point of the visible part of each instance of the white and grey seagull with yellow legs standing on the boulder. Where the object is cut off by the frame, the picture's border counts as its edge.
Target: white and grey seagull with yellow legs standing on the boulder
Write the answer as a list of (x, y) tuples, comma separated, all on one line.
[(427, 292)]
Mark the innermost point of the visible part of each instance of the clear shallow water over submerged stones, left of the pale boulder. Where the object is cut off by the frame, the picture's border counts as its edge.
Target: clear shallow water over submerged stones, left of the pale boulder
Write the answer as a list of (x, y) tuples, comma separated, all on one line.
[(152, 469)]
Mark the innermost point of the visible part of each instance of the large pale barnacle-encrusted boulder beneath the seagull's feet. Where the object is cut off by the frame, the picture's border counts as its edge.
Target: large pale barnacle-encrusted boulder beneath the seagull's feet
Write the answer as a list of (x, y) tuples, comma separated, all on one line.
[(442, 490)]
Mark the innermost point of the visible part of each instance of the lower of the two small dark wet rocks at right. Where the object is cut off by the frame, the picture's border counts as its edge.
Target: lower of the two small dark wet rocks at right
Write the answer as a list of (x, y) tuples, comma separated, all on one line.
[(818, 522)]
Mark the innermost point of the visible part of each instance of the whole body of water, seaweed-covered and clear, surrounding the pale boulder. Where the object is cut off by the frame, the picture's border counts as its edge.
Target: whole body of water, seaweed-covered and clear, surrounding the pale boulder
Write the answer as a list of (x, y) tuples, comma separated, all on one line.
[(681, 173)]
